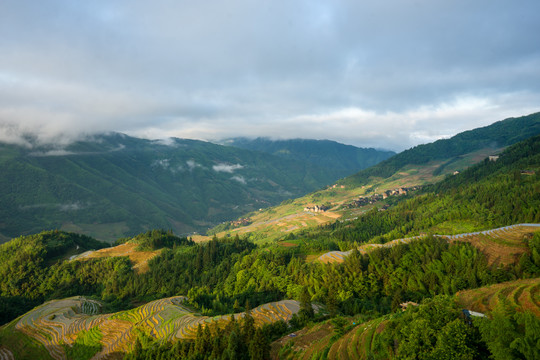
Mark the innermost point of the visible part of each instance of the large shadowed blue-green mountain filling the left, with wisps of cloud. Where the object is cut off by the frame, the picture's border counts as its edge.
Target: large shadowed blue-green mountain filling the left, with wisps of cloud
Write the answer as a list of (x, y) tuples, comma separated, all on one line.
[(115, 185)]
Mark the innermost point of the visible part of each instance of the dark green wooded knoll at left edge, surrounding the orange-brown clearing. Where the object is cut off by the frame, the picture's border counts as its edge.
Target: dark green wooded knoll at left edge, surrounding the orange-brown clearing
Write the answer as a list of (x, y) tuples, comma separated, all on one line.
[(35, 269)]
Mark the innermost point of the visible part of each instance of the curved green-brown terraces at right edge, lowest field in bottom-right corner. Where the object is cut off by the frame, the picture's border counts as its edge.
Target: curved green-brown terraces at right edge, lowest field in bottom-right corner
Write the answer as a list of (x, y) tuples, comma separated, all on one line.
[(525, 294)]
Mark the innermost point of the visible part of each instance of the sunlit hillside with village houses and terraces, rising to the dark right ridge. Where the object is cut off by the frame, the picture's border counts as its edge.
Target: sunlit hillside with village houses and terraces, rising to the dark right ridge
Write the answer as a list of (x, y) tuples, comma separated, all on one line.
[(383, 185)]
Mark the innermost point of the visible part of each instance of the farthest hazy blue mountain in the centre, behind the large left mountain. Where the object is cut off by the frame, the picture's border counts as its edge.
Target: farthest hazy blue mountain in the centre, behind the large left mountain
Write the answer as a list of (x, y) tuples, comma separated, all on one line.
[(339, 158)]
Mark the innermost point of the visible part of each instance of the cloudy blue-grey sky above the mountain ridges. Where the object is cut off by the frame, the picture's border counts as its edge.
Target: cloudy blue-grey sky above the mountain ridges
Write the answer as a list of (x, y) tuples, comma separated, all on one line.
[(388, 74)]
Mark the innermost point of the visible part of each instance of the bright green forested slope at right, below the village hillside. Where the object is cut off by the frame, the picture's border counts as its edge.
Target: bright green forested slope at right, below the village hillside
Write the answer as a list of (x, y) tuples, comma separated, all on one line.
[(488, 195)]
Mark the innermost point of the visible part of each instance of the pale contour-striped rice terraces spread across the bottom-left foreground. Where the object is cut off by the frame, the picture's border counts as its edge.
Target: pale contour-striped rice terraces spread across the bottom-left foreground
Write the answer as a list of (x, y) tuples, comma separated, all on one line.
[(59, 324)]
